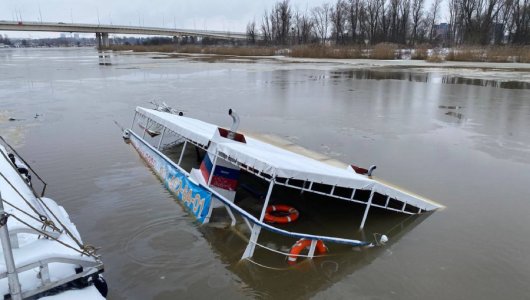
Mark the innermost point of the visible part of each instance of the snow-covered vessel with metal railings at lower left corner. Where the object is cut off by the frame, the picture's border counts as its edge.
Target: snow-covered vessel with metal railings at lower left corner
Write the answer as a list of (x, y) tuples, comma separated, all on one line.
[(43, 255)]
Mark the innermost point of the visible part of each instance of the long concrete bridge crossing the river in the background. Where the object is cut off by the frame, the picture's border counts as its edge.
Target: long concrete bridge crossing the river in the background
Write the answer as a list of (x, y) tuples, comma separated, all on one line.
[(102, 31)]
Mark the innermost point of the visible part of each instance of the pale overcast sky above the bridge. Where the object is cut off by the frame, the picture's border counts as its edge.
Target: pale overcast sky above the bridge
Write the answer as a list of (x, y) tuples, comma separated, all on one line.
[(229, 15)]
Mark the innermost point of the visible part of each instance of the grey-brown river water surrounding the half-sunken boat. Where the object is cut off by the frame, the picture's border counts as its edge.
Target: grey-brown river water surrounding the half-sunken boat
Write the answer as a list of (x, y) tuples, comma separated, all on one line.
[(464, 143)]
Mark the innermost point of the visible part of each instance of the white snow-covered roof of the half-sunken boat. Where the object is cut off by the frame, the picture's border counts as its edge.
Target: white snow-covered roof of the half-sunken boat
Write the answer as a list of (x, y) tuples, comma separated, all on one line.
[(277, 162)]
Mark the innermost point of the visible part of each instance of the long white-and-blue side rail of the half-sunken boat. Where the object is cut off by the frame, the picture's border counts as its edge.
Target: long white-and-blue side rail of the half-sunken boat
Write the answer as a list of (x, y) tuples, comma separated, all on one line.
[(251, 218)]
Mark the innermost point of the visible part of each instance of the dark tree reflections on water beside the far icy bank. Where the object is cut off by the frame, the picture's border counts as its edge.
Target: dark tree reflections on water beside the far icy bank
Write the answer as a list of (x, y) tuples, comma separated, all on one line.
[(389, 74)]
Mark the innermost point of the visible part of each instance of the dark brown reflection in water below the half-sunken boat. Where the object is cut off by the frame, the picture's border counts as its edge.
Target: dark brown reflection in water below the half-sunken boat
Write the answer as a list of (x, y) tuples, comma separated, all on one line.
[(271, 277)]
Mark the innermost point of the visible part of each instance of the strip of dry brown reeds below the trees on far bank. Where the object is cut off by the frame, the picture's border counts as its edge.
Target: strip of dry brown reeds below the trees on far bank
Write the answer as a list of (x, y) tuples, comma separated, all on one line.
[(384, 51)]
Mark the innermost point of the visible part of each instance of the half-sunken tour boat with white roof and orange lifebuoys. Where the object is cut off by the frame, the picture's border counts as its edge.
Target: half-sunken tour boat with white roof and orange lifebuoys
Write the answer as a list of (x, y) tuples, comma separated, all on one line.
[(229, 165)]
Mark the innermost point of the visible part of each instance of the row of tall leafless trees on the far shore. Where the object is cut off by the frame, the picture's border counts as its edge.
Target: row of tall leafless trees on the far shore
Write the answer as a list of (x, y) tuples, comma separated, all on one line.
[(406, 22)]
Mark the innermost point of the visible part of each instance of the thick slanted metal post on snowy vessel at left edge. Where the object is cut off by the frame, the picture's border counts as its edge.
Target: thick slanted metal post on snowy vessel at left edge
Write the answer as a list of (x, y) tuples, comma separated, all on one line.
[(12, 275)]
